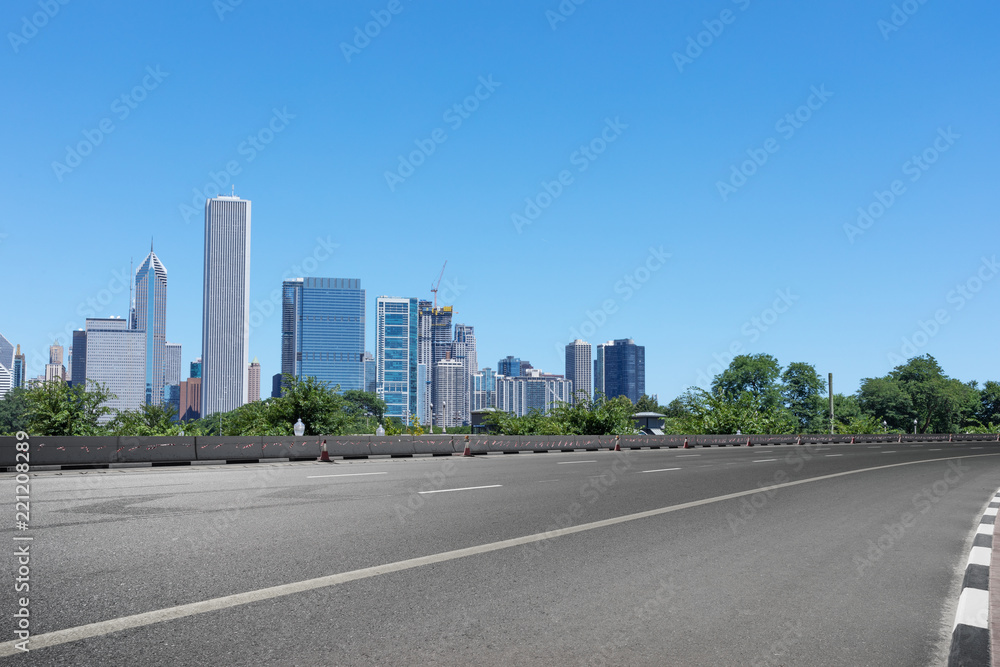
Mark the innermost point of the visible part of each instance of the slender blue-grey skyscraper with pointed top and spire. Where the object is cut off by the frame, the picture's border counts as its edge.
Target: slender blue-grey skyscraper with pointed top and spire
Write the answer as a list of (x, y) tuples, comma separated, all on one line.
[(151, 319)]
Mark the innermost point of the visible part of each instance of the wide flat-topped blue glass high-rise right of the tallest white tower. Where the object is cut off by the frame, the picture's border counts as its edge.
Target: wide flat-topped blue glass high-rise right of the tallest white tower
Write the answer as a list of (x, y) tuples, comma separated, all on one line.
[(323, 331)]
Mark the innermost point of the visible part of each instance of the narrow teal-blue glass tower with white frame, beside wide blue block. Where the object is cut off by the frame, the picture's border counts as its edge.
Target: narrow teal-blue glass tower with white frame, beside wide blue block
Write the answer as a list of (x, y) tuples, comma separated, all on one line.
[(396, 356)]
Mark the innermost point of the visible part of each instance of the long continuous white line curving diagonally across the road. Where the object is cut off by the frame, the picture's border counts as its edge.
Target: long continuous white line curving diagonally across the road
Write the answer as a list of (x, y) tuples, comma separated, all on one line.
[(99, 628)]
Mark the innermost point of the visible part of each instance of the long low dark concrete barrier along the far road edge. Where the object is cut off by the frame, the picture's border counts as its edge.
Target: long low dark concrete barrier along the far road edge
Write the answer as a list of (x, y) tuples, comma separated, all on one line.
[(70, 452)]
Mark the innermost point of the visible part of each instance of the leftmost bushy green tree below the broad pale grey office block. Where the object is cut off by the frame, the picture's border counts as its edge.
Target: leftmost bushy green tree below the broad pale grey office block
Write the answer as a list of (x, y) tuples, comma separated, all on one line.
[(55, 408)]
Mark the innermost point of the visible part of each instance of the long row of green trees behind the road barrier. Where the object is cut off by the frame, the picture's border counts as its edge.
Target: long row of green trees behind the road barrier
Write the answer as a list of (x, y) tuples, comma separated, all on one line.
[(754, 394)]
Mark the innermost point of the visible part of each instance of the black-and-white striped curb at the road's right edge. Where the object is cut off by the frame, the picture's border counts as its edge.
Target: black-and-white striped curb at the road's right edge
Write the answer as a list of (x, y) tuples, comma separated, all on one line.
[(970, 638)]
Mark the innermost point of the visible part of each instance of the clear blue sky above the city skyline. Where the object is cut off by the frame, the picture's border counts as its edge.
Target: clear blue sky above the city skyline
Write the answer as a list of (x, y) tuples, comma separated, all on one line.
[(763, 265)]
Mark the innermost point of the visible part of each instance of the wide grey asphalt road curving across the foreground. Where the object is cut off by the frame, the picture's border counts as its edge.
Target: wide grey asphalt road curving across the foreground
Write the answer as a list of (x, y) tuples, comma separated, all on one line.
[(850, 559)]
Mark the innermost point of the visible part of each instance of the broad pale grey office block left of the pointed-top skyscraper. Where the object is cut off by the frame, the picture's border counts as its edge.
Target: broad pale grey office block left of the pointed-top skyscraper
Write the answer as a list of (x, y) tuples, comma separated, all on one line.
[(116, 358)]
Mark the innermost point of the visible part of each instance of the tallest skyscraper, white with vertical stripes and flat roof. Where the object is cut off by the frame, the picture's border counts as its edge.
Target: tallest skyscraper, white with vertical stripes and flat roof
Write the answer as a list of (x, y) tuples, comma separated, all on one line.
[(225, 322)]
